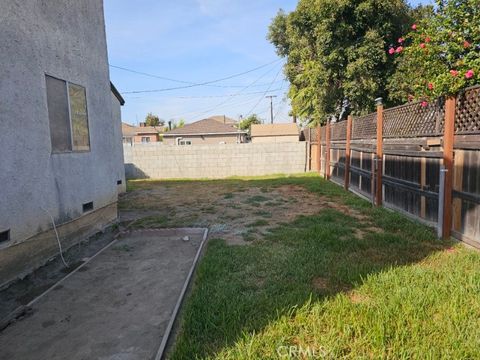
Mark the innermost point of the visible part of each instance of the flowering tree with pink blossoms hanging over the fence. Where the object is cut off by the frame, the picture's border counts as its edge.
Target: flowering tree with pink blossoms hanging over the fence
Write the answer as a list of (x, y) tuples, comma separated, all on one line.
[(441, 54)]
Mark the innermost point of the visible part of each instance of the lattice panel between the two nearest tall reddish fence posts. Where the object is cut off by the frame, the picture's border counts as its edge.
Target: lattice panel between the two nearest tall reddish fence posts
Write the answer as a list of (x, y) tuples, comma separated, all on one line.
[(414, 120)]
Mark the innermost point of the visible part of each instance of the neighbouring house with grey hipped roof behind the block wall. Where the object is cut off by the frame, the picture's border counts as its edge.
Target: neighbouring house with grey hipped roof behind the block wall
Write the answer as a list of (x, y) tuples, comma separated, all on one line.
[(207, 131)]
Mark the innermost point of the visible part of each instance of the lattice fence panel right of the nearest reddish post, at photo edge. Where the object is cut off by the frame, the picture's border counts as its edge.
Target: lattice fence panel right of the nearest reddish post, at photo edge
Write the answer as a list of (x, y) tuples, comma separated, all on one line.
[(467, 113)]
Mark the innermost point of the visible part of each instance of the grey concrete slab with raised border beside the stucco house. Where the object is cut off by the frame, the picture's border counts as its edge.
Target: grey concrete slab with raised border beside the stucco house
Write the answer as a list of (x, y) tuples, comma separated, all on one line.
[(117, 306)]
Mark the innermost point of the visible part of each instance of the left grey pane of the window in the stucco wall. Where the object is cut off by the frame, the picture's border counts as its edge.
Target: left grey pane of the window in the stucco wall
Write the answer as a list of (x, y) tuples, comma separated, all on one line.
[(58, 115)]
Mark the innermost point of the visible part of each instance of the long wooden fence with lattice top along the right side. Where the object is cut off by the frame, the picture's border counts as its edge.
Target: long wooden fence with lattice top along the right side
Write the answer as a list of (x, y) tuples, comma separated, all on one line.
[(422, 161)]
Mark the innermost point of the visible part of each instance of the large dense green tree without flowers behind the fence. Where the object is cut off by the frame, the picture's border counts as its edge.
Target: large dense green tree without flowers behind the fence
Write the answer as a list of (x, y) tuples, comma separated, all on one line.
[(337, 50)]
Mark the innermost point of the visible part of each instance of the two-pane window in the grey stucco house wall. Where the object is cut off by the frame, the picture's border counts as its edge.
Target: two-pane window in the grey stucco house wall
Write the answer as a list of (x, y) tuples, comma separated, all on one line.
[(67, 113)]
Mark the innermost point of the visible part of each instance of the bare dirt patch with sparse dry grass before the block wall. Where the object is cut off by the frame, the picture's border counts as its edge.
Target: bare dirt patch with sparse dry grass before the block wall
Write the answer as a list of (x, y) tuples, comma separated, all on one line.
[(237, 212)]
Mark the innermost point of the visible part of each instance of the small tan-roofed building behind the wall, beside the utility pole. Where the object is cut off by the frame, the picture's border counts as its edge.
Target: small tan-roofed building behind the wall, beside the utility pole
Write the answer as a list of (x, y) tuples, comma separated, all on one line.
[(271, 133)]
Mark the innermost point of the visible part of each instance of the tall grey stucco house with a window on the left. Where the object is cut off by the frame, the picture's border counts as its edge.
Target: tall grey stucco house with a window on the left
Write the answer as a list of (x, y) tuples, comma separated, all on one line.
[(61, 152)]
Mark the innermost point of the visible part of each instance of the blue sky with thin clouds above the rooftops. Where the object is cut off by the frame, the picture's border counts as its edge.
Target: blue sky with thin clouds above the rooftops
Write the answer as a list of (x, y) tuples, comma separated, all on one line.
[(157, 45)]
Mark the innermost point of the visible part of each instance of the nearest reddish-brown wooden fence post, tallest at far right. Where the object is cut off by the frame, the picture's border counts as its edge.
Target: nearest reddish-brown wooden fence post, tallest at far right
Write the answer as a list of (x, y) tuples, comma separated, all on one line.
[(448, 140)]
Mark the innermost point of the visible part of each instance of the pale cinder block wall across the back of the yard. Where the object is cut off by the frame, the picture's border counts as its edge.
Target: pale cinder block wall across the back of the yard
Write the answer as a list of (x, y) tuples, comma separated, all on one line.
[(159, 161)]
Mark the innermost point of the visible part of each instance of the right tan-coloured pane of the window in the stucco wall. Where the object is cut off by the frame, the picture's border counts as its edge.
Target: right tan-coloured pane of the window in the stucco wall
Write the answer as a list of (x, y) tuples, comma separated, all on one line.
[(78, 112)]
